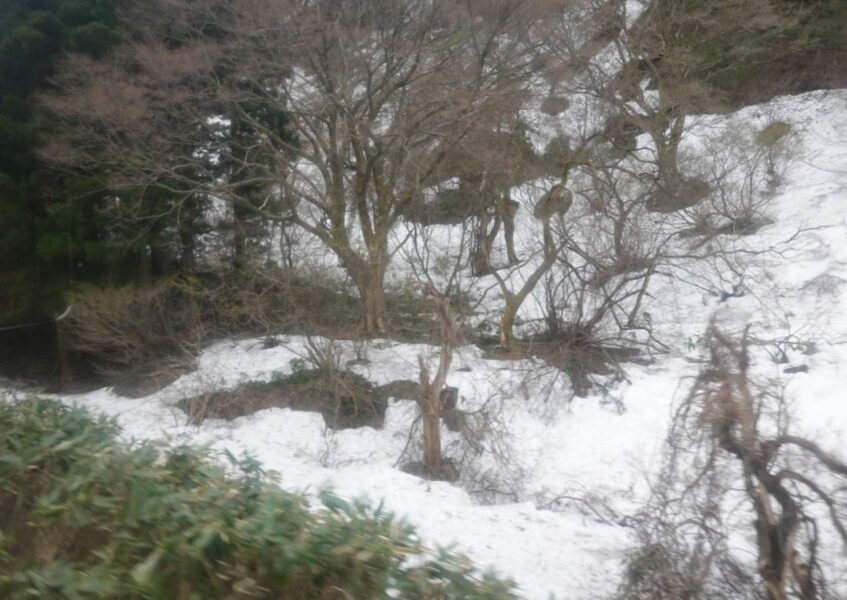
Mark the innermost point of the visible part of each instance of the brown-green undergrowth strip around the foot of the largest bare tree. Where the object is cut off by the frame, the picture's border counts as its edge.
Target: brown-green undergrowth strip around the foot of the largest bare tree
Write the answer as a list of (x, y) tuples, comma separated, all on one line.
[(140, 339)]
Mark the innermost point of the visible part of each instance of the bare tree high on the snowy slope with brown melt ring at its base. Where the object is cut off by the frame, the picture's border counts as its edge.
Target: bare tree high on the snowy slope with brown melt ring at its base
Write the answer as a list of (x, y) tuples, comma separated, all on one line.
[(634, 77)]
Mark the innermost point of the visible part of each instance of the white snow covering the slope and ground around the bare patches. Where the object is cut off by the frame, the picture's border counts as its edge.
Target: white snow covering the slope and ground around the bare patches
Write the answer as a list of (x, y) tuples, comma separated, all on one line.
[(575, 466)]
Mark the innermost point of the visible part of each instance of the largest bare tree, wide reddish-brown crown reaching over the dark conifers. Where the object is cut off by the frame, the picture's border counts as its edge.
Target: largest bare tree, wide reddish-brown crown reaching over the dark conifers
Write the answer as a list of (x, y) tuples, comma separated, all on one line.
[(375, 93)]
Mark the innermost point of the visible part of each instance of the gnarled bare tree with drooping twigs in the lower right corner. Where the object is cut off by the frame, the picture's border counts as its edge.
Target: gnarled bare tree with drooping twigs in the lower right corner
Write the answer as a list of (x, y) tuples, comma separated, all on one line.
[(730, 437)]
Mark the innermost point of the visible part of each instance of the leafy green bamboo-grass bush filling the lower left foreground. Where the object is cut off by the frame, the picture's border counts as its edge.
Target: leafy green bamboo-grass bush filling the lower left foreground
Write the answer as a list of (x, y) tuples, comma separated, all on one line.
[(83, 516)]
